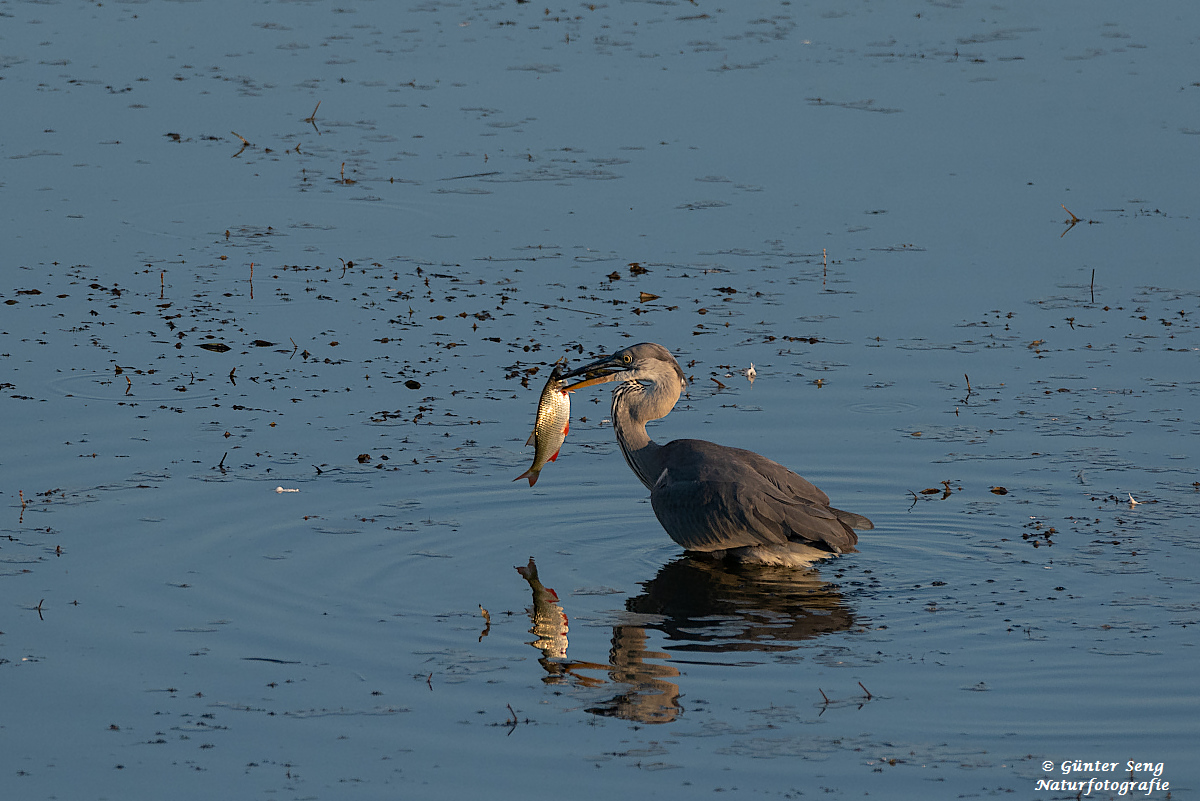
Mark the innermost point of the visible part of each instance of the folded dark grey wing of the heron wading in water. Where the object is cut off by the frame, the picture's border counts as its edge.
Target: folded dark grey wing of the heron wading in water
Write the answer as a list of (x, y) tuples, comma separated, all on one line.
[(712, 498)]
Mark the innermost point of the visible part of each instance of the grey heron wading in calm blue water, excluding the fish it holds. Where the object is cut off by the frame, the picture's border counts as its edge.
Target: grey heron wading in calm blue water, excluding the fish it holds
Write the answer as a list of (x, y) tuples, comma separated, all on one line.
[(724, 502)]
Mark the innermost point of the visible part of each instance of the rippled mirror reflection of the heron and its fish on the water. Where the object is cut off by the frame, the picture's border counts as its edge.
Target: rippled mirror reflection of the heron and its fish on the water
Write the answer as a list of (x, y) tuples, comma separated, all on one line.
[(700, 606)]
